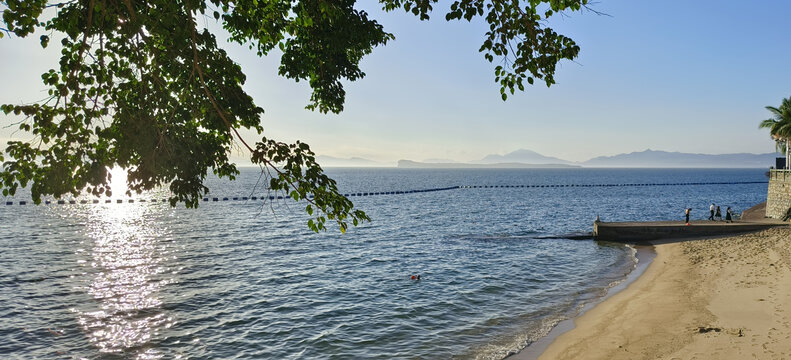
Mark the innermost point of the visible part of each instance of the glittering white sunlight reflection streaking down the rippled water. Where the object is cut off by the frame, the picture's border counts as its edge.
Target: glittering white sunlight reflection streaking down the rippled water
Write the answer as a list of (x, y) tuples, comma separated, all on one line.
[(128, 266)]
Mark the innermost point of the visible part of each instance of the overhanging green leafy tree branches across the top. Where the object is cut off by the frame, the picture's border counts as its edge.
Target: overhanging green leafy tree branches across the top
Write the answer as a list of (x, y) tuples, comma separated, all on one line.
[(142, 86)]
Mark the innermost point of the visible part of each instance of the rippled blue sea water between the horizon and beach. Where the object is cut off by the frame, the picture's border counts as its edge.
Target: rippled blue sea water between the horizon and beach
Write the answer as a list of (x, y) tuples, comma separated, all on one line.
[(247, 279)]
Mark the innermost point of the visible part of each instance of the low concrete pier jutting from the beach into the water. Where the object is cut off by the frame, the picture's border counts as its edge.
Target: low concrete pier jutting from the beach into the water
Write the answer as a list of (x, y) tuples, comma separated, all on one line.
[(670, 230)]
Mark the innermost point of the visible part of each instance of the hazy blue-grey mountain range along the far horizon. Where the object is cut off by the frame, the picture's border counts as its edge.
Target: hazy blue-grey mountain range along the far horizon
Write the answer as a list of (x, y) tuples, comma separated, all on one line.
[(524, 158)]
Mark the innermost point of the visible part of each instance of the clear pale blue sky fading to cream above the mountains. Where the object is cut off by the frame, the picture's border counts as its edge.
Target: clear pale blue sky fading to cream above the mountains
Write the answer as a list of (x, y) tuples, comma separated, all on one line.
[(688, 76)]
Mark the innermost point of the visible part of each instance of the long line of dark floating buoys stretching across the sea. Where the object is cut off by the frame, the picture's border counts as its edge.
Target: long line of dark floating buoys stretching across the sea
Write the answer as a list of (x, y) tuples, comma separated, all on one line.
[(379, 193)]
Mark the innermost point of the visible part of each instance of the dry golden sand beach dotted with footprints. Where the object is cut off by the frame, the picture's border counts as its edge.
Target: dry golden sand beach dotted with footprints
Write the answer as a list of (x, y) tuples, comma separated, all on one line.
[(725, 298)]
